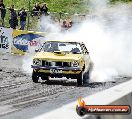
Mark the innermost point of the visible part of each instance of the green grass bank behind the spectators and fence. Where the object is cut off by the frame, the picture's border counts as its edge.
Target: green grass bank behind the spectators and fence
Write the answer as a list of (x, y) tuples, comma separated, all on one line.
[(66, 6)]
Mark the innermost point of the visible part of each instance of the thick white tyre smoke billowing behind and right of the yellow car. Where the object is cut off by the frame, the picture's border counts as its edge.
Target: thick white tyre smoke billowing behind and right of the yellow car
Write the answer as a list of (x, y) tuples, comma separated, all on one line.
[(107, 37)]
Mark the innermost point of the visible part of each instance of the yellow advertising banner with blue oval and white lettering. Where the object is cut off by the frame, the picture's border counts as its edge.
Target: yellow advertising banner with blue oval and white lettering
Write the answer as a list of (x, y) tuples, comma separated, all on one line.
[(26, 41)]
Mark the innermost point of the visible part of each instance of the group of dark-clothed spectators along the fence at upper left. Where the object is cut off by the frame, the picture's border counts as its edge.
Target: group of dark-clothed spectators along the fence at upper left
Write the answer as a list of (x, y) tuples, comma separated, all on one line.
[(20, 16)]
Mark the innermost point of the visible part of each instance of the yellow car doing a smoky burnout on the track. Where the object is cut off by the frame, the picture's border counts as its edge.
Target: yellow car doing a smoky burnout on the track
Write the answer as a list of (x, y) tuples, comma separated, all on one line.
[(57, 59)]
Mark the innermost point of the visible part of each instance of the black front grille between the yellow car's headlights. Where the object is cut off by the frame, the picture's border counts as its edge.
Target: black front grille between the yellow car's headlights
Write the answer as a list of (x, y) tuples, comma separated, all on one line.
[(56, 64)]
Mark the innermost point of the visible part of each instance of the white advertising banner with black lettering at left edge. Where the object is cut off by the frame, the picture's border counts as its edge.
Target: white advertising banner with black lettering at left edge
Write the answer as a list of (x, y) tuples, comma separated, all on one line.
[(5, 40)]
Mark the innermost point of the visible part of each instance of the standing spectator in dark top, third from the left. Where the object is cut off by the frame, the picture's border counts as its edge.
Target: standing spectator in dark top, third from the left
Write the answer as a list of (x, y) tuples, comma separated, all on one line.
[(23, 16)]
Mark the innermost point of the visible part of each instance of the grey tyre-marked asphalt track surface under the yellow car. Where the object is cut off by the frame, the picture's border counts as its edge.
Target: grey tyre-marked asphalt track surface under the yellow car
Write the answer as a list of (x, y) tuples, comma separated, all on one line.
[(18, 93)]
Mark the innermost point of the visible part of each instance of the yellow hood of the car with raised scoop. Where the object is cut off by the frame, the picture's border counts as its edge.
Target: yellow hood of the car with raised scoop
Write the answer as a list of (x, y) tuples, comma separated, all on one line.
[(61, 56)]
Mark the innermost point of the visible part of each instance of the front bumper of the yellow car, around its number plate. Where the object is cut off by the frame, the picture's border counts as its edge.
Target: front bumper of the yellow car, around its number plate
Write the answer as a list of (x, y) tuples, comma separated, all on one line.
[(65, 70)]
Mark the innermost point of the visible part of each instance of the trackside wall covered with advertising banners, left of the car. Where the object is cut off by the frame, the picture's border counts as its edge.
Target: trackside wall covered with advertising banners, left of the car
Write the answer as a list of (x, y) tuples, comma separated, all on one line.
[(18, 41)]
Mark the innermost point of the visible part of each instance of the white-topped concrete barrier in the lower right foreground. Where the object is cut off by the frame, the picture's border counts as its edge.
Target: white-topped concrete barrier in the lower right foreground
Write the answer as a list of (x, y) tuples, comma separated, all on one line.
[(117, 95)]
